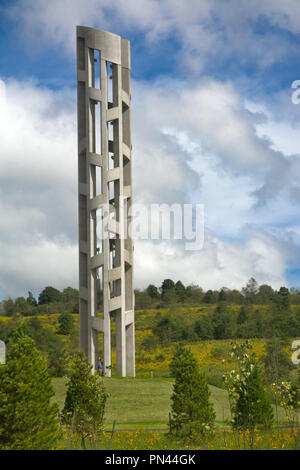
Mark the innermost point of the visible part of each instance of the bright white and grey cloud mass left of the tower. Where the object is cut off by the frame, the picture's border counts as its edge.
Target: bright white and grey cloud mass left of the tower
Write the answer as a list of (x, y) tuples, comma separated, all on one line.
[(38, 188)]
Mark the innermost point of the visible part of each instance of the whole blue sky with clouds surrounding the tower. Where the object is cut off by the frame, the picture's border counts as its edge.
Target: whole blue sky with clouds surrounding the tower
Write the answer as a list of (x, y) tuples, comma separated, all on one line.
[(214, 122)]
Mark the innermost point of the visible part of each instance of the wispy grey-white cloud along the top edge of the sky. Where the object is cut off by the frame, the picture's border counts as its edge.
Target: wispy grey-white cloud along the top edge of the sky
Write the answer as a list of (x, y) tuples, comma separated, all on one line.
[(208, 32)]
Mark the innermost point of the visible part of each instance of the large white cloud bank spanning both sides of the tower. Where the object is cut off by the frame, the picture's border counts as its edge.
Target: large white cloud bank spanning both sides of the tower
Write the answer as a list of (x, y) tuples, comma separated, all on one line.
[(186, 146)]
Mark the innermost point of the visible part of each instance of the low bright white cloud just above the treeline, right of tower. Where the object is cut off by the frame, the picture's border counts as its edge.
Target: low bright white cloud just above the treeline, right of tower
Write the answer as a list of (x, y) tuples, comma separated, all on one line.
[(220, 263)]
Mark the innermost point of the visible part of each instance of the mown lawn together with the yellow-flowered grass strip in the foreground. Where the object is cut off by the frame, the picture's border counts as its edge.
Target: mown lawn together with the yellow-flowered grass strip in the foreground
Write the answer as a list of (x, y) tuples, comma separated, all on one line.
[(141, 408)]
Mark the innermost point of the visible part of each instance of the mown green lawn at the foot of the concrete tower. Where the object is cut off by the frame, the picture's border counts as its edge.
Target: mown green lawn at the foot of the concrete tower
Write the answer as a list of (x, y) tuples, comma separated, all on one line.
[(145, 403)]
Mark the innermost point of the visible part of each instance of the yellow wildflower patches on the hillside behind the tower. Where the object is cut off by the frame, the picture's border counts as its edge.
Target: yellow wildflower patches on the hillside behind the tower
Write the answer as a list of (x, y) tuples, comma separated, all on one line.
[(212, 354)]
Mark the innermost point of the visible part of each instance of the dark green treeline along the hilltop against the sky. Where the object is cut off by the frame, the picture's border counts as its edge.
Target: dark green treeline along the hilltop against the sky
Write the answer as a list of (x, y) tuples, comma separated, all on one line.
[(169, 294)]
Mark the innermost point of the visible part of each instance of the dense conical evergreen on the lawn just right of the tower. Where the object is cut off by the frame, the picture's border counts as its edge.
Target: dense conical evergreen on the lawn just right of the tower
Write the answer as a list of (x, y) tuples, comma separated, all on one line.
[(192, 413)]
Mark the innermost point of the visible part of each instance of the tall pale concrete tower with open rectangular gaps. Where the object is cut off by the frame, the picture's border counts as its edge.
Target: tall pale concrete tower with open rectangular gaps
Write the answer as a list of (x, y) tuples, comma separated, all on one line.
[(104, 187)]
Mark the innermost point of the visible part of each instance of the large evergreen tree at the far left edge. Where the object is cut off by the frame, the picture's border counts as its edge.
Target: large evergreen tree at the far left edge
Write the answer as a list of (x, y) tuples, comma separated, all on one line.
[(28, 421)]
